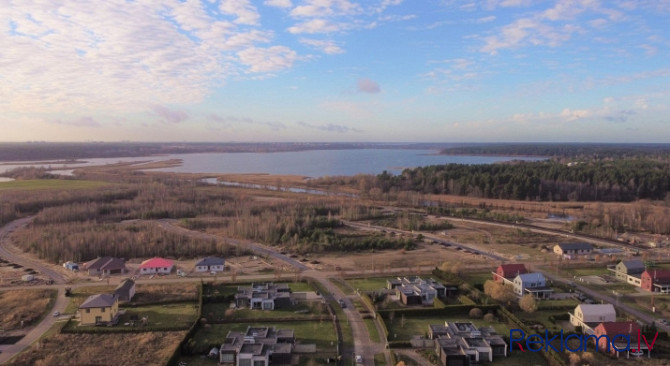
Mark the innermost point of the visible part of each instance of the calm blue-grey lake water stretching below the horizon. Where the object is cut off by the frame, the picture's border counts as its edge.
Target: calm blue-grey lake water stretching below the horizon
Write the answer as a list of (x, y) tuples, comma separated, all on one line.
[(313, 163)]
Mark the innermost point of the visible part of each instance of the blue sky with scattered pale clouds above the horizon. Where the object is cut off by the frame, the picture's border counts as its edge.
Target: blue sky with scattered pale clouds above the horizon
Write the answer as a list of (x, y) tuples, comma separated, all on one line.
[(335, 70)]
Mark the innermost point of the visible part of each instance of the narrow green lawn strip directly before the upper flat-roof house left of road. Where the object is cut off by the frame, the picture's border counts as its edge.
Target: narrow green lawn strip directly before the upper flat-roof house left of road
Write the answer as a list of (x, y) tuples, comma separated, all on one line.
[(301, 310)]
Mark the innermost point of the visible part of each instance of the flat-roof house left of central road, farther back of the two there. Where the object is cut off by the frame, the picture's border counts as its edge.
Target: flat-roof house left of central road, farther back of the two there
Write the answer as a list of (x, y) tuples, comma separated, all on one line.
[(263, 296)]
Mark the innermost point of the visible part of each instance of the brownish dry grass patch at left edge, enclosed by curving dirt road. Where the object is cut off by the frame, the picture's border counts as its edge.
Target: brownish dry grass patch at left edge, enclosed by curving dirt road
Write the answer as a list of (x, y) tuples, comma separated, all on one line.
[(26, 305)]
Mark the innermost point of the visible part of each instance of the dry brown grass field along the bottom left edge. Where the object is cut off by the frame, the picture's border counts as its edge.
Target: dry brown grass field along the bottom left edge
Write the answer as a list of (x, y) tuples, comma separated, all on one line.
[(98, 349)]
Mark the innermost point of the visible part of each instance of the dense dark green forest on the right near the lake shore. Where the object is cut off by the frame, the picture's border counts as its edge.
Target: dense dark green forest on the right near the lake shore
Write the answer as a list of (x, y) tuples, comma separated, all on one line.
[(607, 181)]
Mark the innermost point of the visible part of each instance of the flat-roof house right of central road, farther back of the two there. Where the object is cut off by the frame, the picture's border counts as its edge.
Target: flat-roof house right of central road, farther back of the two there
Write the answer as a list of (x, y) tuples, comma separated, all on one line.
[(417, 291)]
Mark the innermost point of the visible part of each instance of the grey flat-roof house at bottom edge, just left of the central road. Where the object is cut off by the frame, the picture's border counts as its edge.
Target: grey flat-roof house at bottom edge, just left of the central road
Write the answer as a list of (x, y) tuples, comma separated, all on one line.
[(257, 346)]
